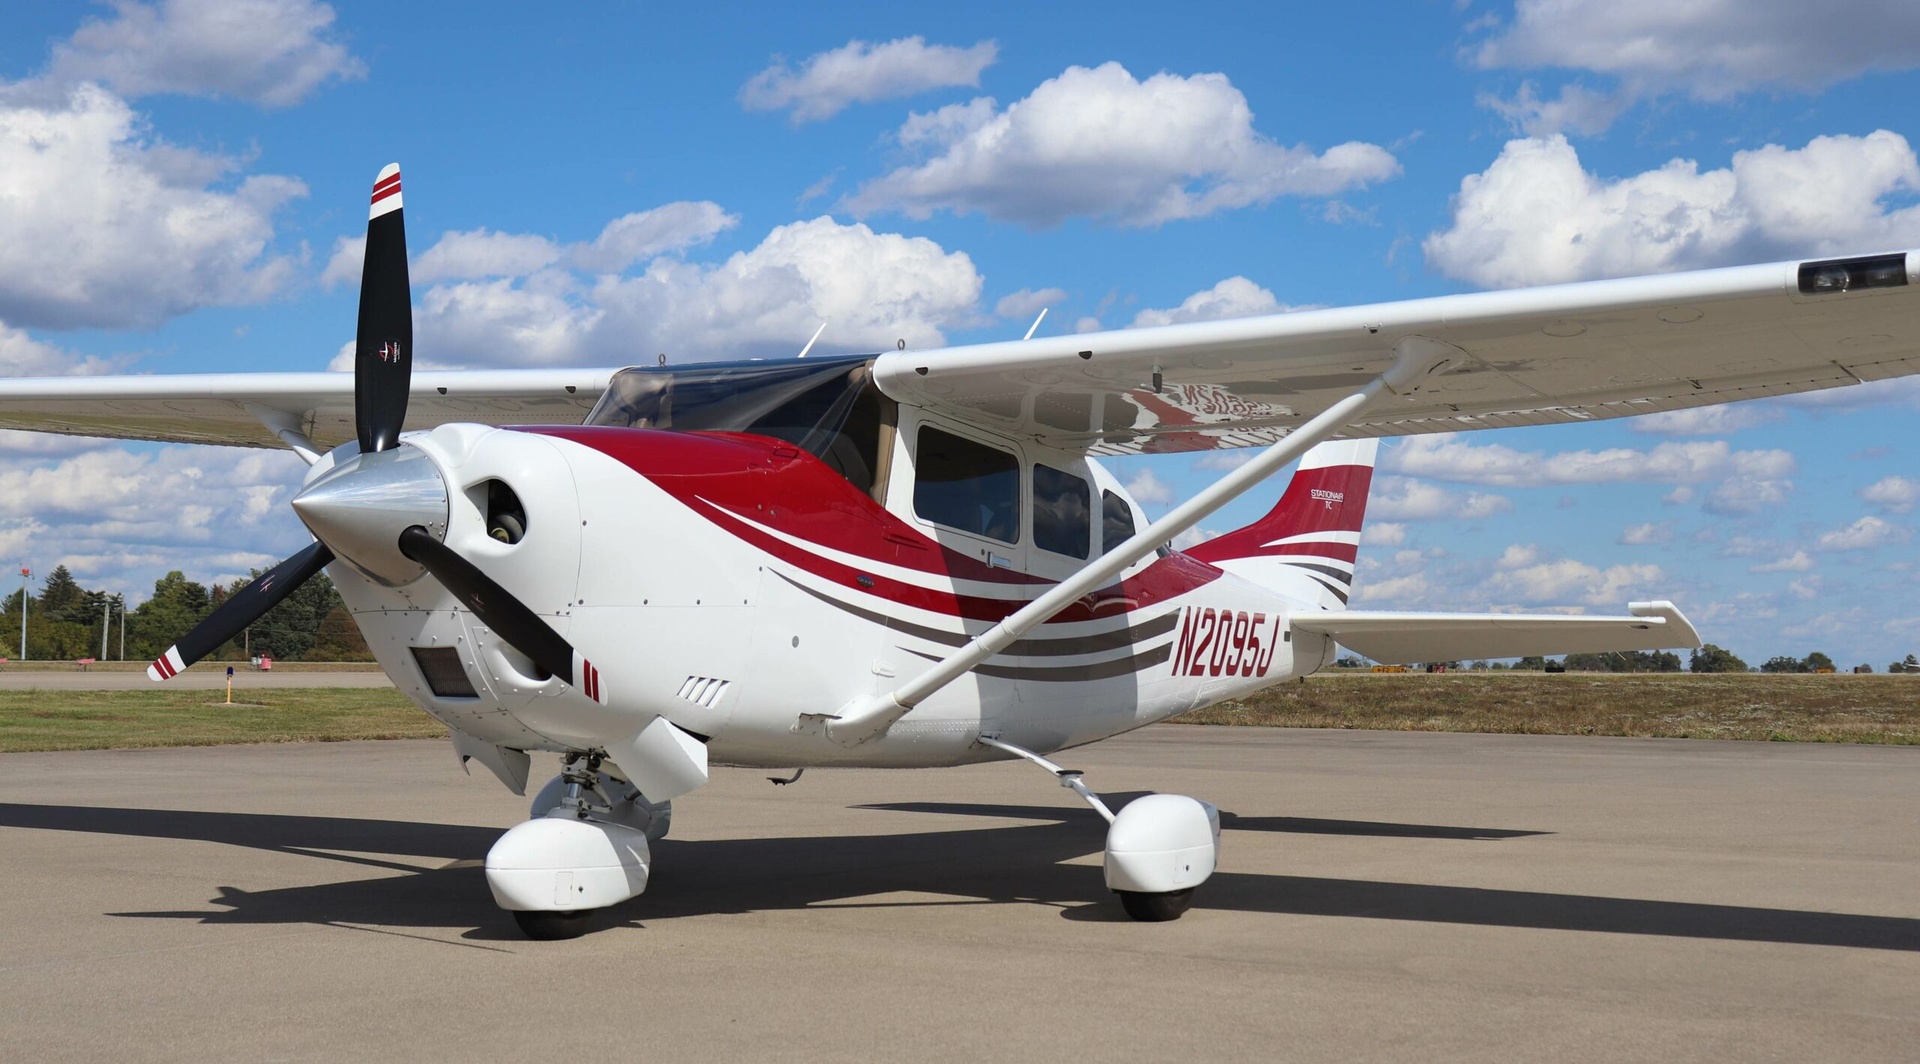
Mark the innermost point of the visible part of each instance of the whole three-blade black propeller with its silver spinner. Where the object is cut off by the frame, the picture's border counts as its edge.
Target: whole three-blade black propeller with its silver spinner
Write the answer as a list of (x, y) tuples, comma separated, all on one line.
[(352, 504)]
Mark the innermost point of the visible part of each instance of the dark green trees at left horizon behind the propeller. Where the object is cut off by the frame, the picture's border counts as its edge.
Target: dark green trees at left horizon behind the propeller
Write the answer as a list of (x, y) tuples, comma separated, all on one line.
[(68, 621)]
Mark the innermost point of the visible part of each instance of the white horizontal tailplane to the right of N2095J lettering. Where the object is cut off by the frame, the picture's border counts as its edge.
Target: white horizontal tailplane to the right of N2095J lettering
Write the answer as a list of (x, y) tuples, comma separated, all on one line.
[(1401, 639)]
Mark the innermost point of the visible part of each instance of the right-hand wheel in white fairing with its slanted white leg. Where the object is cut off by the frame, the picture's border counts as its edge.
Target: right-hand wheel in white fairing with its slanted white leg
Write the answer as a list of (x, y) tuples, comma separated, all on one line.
[(1159, 848)]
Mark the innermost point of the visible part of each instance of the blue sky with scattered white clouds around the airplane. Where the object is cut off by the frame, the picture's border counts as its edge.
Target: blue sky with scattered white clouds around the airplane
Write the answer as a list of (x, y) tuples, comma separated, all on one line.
[(596, 183)]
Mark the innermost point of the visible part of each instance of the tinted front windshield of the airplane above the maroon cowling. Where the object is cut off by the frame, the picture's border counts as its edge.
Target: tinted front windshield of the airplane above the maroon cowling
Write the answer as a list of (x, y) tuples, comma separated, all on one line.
[(828, 408)]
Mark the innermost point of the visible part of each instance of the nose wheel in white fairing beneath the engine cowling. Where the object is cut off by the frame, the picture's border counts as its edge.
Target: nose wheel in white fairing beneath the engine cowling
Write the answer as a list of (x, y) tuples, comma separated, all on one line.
[(585, 850)]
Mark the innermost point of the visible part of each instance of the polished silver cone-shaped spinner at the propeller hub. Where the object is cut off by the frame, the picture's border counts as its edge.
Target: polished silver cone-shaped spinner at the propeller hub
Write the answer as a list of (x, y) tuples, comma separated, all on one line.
[(362, 506)]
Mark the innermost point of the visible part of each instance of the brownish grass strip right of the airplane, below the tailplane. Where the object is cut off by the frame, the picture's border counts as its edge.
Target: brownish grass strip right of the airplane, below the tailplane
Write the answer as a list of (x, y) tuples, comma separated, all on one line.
[(1727, 706)]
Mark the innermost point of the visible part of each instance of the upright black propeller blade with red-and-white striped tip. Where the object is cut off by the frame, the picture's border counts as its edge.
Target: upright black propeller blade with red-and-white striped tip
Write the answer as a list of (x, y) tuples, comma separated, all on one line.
[(383, 354)]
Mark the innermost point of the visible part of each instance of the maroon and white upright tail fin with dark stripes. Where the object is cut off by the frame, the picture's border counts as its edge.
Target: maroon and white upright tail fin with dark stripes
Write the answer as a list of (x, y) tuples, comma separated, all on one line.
[(1307, 546)]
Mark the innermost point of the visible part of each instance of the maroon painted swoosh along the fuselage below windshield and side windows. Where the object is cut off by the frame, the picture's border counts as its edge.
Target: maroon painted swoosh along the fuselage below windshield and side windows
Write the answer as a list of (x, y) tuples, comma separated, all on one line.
[(721, 475)]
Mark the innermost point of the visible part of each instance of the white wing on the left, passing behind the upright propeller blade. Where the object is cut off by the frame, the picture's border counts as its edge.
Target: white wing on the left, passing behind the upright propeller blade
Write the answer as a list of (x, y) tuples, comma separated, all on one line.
[(235, 408)]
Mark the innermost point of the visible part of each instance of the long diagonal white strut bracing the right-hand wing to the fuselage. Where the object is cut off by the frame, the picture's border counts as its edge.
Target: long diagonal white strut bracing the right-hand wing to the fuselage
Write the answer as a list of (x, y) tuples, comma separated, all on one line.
[(1414, 360)]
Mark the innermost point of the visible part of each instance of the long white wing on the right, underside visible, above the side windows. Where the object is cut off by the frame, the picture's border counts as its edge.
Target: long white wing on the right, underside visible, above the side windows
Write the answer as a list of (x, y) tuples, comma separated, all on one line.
[(1535, 356)]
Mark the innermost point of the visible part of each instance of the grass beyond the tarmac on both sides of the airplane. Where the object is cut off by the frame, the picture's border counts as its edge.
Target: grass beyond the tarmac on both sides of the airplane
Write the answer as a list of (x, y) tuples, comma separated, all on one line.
[(1825, 710)]
